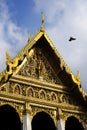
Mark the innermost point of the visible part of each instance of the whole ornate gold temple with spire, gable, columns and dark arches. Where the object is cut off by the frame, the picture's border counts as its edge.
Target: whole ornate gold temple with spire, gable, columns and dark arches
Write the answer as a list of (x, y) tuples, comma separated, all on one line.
[(38, 91)]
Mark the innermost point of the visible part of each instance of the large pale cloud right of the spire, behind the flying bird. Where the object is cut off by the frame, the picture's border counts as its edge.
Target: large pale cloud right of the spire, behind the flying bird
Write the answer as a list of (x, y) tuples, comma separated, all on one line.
[(65, 18)]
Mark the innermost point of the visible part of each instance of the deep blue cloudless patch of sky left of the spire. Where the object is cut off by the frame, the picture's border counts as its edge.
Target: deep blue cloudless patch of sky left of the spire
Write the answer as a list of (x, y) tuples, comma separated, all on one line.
[(23, 13)]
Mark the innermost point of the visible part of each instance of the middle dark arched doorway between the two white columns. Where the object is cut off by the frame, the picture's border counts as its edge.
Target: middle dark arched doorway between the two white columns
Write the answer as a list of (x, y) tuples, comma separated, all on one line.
[(43, 121)]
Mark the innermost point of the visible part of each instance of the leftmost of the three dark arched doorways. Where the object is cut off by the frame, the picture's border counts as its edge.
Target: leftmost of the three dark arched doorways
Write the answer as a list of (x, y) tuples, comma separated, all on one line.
[(9, 118)]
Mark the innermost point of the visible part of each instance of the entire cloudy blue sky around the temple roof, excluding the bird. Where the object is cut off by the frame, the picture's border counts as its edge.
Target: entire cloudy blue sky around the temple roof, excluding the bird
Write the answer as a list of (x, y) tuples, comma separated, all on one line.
[(63, 18)]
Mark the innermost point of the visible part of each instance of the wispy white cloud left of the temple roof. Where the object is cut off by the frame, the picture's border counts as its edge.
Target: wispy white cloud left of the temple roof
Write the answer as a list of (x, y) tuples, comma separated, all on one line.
[(12, 37)]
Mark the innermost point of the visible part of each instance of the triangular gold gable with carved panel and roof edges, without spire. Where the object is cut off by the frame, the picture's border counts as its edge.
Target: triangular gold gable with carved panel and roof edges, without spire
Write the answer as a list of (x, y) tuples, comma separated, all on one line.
[(40, 59)]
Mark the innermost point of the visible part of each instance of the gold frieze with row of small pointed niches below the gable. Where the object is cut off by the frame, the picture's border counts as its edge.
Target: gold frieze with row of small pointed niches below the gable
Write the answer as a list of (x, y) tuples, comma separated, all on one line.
[(37, 92)]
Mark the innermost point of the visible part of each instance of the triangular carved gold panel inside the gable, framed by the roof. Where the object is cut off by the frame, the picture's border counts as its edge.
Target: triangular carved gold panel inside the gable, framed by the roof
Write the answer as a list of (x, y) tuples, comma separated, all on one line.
[(37, 66)]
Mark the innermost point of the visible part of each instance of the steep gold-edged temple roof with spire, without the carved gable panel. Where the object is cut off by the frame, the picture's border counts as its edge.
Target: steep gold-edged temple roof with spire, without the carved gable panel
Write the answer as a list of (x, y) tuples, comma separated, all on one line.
[(42, 40)]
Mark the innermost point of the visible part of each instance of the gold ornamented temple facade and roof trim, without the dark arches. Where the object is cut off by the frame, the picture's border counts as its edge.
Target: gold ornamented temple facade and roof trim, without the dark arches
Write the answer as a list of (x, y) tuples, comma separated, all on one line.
[(34, 86)]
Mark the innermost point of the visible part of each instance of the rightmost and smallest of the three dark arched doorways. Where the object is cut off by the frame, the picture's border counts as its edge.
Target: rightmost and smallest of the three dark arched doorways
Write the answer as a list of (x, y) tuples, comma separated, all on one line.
[(73, 123)]
